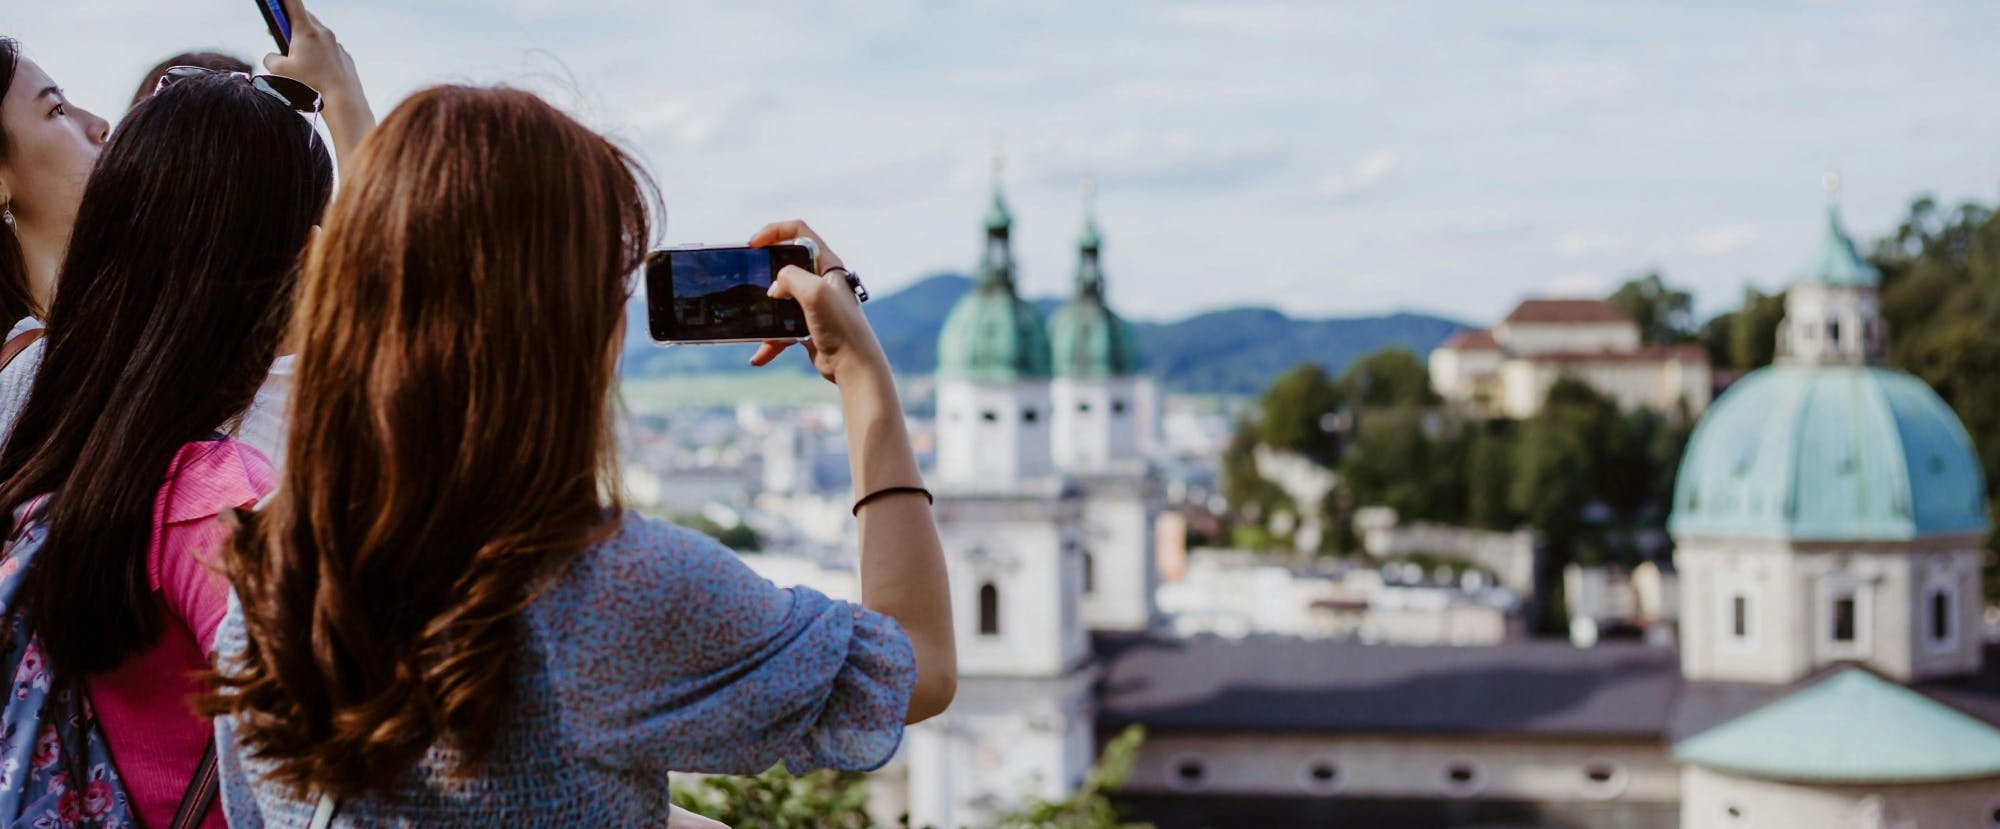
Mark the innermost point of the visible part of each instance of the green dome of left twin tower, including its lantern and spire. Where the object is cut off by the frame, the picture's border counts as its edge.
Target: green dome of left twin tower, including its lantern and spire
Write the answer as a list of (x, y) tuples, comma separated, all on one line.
[(993, 335)]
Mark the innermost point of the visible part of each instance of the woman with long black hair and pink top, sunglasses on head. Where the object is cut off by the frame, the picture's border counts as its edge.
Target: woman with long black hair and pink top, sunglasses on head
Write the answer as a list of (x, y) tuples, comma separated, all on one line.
[(175, 295)]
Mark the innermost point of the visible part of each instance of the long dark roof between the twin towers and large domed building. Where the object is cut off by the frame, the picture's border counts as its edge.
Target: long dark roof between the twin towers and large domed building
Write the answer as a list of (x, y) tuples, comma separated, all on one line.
[(1531, 688)]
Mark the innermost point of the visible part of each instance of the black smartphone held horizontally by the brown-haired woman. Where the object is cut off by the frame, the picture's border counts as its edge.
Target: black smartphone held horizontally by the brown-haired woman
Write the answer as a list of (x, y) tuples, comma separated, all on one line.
[(721, 295)]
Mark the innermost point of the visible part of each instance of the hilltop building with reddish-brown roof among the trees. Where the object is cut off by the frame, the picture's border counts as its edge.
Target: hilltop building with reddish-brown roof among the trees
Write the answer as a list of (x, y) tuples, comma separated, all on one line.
[(1507, 371)]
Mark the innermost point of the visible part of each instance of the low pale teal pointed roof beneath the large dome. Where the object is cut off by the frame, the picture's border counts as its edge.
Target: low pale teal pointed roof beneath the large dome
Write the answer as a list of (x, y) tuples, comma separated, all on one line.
[(1851, 728)]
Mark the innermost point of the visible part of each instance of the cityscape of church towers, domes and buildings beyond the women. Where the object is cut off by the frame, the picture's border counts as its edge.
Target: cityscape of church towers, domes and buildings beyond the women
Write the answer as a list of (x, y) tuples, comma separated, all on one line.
[(1795, 638)]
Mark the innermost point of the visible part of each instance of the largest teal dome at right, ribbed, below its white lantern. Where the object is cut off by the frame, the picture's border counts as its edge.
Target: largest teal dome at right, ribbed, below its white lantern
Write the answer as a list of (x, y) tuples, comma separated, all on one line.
[(1829, 454)]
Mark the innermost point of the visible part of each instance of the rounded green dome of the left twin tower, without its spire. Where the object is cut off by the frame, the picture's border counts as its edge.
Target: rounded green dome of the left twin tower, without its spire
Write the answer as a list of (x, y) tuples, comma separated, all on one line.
[(993, 337)]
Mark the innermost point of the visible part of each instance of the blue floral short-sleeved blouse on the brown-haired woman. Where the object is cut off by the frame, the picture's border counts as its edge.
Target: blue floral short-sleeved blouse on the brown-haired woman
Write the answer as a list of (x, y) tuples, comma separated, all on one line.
[(657, 652)]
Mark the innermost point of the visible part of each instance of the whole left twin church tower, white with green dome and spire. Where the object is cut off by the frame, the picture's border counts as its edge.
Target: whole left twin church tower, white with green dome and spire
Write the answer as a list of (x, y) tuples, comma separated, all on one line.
[(1013, 542)]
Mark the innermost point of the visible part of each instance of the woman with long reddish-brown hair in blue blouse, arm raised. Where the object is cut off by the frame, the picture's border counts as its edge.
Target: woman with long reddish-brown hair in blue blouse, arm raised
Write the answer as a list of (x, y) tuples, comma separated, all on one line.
[(445, 618)]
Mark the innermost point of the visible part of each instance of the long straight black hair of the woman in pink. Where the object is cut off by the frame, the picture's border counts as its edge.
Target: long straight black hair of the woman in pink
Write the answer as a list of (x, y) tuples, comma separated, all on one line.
[(171, 307)]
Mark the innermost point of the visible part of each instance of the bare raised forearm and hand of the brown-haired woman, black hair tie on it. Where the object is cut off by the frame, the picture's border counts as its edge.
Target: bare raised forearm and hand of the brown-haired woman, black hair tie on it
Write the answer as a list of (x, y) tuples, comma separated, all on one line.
[(903, 560)]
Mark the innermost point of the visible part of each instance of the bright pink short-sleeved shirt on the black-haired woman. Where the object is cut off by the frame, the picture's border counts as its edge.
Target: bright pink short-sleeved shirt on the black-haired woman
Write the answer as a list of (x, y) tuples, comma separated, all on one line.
[(145, 706)]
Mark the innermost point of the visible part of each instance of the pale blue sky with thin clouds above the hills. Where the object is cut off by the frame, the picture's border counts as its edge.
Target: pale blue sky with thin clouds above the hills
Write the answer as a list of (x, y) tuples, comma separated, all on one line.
[(1319, 157)]
